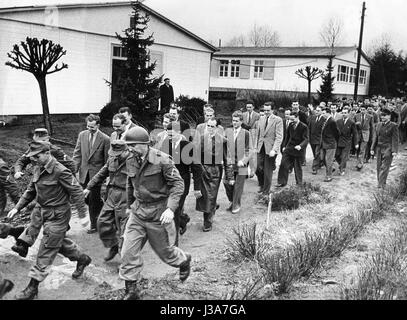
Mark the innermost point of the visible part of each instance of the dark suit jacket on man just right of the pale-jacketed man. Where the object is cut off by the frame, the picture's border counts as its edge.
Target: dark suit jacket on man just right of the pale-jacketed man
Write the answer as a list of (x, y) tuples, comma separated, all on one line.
[(296, 136)]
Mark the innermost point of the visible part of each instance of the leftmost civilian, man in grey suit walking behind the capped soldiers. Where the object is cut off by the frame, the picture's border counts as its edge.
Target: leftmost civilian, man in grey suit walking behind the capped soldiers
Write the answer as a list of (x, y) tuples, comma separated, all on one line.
[(90, 155)]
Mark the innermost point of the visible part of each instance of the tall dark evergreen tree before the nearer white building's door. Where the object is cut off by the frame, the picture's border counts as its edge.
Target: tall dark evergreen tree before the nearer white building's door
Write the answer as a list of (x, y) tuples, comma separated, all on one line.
[(137, 89)]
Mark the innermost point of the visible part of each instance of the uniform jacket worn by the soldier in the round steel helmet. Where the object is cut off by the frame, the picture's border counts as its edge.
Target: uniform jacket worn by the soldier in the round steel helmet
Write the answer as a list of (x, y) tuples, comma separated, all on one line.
[(153, 186)]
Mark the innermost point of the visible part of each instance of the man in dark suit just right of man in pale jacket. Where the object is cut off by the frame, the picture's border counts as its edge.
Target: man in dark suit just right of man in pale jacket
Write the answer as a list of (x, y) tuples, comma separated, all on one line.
[(296, 140)]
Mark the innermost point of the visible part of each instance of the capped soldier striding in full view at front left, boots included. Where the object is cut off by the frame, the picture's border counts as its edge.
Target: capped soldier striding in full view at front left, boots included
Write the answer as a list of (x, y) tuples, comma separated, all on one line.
[(53, 187)]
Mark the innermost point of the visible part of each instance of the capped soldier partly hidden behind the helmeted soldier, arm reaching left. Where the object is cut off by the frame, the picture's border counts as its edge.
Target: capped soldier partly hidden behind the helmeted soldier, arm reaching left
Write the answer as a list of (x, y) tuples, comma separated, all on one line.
[(113, 217)]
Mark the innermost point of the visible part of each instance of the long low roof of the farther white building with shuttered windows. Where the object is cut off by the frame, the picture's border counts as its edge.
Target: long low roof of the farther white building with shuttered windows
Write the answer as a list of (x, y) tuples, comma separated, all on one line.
[(289, 52)]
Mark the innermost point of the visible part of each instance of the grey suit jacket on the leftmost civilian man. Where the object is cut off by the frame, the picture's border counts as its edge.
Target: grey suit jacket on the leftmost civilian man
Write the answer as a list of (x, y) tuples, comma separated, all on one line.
[(90, 161)]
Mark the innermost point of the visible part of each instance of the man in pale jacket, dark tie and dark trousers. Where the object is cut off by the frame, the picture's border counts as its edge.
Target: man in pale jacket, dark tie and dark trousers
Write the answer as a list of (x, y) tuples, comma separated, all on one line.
[(270, 137)]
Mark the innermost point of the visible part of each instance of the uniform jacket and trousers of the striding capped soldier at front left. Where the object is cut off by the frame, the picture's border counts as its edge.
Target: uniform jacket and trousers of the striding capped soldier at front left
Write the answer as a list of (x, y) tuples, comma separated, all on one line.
[(53, 187)]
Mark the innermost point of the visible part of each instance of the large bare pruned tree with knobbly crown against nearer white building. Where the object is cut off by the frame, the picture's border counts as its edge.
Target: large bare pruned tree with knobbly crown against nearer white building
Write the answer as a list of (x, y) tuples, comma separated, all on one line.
[(38, 58)]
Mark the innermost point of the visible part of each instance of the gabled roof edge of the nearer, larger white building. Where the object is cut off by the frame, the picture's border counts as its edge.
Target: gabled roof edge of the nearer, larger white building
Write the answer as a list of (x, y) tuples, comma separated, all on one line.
[(110, 4)]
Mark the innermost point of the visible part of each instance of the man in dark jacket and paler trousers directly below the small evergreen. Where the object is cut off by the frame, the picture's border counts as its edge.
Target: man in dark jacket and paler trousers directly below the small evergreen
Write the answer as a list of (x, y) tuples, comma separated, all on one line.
[(329, 141)]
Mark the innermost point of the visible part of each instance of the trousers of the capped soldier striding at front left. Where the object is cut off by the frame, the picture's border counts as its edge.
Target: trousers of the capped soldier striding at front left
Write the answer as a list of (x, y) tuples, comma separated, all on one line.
[(54, 241)]
